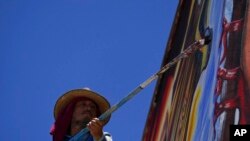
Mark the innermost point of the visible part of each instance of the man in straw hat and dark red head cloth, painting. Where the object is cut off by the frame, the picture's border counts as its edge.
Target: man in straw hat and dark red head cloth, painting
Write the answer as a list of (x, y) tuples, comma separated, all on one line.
[(76, 110)]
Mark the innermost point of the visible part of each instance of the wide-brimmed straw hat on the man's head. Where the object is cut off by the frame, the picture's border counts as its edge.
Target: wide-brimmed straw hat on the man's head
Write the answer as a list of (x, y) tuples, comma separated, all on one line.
[(68, 97)]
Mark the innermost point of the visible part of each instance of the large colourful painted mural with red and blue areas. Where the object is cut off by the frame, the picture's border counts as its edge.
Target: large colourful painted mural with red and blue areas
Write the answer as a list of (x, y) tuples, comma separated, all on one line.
[(201, 96)]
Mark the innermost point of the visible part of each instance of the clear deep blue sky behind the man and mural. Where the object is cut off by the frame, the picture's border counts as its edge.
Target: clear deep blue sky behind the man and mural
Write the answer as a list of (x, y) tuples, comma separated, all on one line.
[(48, 47)]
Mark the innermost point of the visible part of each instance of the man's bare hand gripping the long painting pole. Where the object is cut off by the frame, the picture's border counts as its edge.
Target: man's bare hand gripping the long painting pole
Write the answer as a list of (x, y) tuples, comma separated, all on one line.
[(95, 127)]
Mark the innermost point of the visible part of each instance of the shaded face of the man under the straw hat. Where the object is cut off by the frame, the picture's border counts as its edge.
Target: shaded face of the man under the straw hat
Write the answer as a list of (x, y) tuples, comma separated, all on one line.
[(84, 111)]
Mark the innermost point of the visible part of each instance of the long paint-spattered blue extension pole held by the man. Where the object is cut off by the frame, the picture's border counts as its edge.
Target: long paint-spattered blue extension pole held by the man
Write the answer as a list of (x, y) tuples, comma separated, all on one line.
[(184, 54)]
